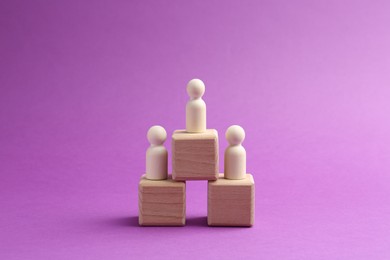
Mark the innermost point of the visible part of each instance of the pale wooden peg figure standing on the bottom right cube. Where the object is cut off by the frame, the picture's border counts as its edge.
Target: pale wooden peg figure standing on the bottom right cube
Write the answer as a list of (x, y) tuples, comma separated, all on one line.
[(235, 154)]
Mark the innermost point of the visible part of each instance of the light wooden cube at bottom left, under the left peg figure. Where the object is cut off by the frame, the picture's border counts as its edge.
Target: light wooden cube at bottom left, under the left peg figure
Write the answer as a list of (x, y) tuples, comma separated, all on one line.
[(161, 202)]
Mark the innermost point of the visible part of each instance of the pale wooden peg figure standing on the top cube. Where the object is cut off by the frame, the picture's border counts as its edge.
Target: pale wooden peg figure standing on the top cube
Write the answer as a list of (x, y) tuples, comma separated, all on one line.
[(196, 107)]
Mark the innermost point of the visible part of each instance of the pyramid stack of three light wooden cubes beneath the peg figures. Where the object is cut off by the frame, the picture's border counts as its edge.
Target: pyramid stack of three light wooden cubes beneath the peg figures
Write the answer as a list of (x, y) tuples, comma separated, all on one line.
[(195, 156)]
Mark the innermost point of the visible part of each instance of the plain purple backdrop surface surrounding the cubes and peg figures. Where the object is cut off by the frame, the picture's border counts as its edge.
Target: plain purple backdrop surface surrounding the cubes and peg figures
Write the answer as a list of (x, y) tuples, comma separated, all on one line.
[(81, 82)]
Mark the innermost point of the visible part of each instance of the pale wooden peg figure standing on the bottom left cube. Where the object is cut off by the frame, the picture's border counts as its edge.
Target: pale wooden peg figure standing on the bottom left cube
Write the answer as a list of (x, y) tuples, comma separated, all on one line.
[(157, 154)]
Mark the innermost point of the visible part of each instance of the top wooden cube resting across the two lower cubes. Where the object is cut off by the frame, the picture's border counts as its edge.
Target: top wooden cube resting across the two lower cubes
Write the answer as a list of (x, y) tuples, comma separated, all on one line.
[(195, 155)]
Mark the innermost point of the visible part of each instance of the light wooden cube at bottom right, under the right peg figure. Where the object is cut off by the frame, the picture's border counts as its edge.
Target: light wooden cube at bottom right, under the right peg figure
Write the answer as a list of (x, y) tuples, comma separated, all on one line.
[(231, 202)]
